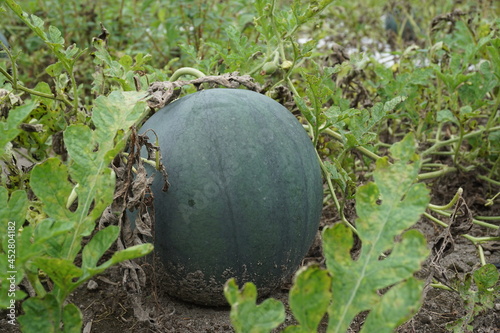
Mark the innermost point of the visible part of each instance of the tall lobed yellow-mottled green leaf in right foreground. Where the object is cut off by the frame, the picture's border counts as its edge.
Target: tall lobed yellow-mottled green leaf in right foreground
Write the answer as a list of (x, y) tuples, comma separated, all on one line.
[(386, 207)]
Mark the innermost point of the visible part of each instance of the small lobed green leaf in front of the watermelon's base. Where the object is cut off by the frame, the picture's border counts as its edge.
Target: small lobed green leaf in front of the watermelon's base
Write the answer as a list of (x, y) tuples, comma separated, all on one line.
[(246, 316)]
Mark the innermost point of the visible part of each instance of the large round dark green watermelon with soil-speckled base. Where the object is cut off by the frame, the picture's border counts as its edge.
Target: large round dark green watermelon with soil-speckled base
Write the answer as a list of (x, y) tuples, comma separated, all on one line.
[(245, 194)]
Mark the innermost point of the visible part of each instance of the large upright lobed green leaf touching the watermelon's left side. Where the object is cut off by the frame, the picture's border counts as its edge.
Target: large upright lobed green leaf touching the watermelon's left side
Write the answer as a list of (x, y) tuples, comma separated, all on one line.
[(88, 182)]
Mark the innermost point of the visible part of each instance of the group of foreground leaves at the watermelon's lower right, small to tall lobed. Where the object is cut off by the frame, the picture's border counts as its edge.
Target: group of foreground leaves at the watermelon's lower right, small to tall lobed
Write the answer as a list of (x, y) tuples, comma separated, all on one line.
[(386, 208)]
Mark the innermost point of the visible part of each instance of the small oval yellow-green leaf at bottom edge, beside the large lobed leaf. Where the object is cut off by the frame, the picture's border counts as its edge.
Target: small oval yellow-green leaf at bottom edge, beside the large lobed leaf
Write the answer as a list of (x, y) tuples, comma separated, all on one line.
[(310, 297)]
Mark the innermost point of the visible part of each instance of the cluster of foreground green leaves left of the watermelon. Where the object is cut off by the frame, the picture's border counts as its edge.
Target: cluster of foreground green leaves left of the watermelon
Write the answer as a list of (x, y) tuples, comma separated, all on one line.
[(87, 181)]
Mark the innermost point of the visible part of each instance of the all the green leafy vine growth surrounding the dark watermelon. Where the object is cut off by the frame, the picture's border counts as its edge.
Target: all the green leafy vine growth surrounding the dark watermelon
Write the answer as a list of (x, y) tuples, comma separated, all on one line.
[(442, 86)]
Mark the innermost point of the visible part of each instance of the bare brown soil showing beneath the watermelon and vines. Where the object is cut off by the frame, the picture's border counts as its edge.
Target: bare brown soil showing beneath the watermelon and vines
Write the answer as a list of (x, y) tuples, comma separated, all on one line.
[(107, 307)]
